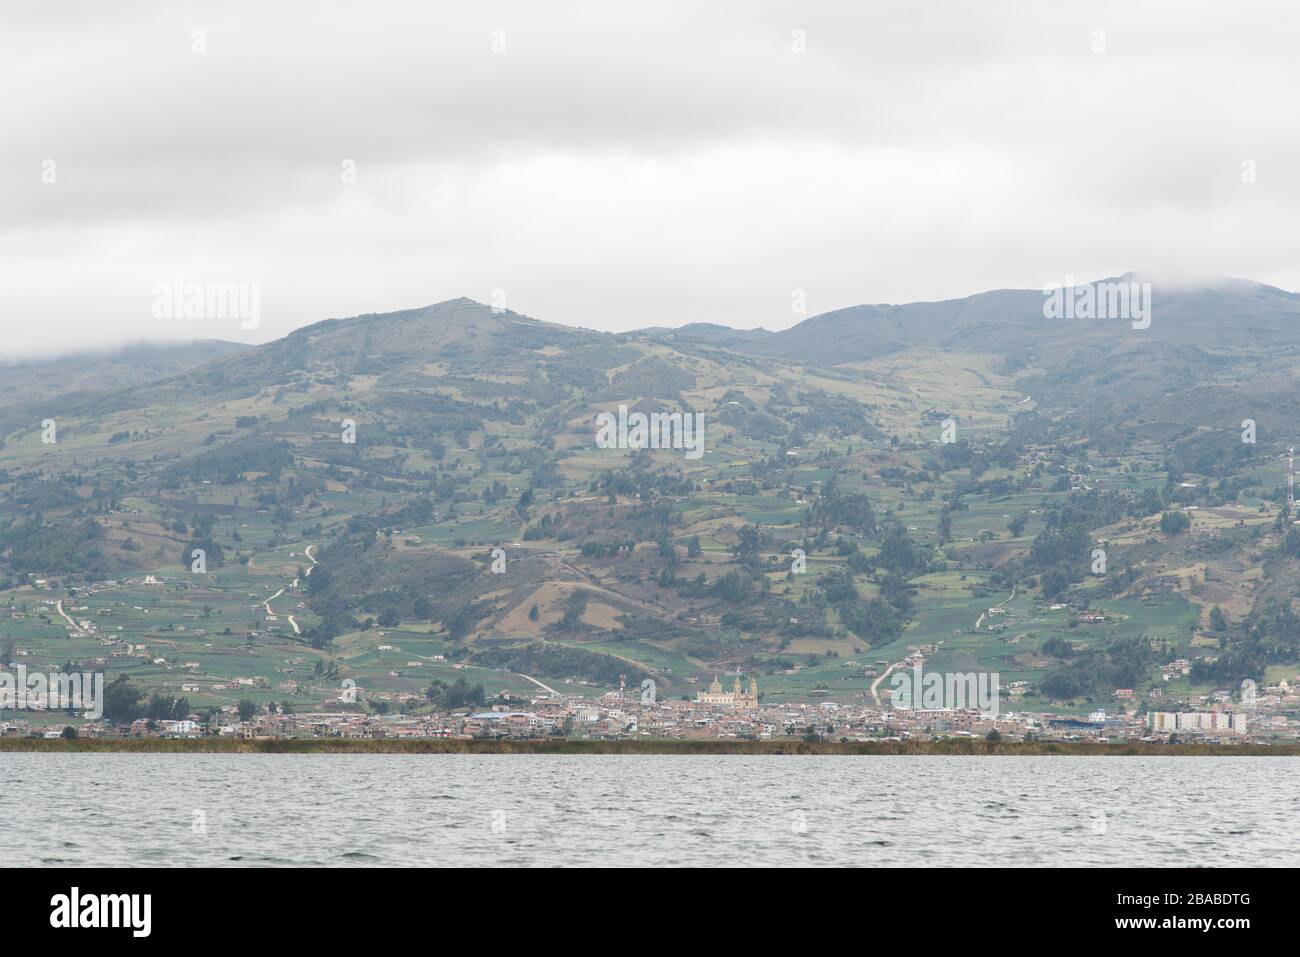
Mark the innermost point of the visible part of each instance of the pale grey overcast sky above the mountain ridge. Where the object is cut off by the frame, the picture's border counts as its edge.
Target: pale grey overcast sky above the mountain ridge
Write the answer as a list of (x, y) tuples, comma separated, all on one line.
[(622, 164)]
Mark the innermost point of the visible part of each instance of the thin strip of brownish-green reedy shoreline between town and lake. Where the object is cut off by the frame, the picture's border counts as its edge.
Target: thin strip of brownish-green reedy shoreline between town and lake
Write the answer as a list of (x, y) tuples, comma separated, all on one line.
[(947, 747)]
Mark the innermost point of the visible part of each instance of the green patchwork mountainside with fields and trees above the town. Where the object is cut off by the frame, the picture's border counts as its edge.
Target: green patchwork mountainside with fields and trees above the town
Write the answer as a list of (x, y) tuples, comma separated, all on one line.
[(415, 499)]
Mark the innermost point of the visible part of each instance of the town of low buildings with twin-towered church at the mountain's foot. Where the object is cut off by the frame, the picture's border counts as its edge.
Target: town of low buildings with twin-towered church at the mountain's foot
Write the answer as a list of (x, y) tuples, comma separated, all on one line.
[(1264, 717)]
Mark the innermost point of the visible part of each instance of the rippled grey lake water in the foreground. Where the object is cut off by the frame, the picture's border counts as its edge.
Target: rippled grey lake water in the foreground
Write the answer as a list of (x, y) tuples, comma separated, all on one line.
[(657, 811)]
